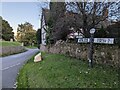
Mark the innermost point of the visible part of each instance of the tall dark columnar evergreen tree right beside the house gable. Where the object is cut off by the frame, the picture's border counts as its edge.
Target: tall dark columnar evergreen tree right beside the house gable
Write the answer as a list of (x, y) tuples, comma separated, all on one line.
[(57, 10)]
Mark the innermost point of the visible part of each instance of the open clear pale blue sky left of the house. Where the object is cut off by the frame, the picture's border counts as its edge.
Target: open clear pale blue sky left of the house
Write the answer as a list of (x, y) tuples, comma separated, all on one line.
[(20, 12)]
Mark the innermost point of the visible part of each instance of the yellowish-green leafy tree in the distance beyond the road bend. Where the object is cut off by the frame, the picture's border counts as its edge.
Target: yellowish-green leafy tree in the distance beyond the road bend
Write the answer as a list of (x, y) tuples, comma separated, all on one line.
[(26, 33)]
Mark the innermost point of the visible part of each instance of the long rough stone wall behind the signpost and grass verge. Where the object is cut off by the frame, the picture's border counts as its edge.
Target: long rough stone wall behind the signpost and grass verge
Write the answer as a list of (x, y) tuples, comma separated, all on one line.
[(103, 54)]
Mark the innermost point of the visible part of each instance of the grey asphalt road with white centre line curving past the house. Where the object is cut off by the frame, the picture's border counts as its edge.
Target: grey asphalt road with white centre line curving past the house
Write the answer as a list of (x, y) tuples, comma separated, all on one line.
[(11, 66)]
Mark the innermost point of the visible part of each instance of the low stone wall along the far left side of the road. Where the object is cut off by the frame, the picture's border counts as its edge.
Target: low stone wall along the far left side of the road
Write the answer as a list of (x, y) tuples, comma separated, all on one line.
[(8, 50)]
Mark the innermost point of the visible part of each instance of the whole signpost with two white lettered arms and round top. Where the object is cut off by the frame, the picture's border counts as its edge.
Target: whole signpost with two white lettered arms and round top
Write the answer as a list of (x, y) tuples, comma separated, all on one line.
[(92, 40)]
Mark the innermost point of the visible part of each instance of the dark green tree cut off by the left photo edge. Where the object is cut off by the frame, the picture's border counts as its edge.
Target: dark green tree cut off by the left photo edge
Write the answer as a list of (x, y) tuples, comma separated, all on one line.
[(6, 31)]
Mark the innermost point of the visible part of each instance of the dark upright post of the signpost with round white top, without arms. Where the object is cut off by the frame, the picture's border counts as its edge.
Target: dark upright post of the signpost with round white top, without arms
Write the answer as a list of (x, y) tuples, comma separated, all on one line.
[(90, 57)]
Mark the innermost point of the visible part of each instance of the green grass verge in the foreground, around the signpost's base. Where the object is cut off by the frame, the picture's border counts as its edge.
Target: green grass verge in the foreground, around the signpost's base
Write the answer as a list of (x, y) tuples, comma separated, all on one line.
[(59, 71)]
